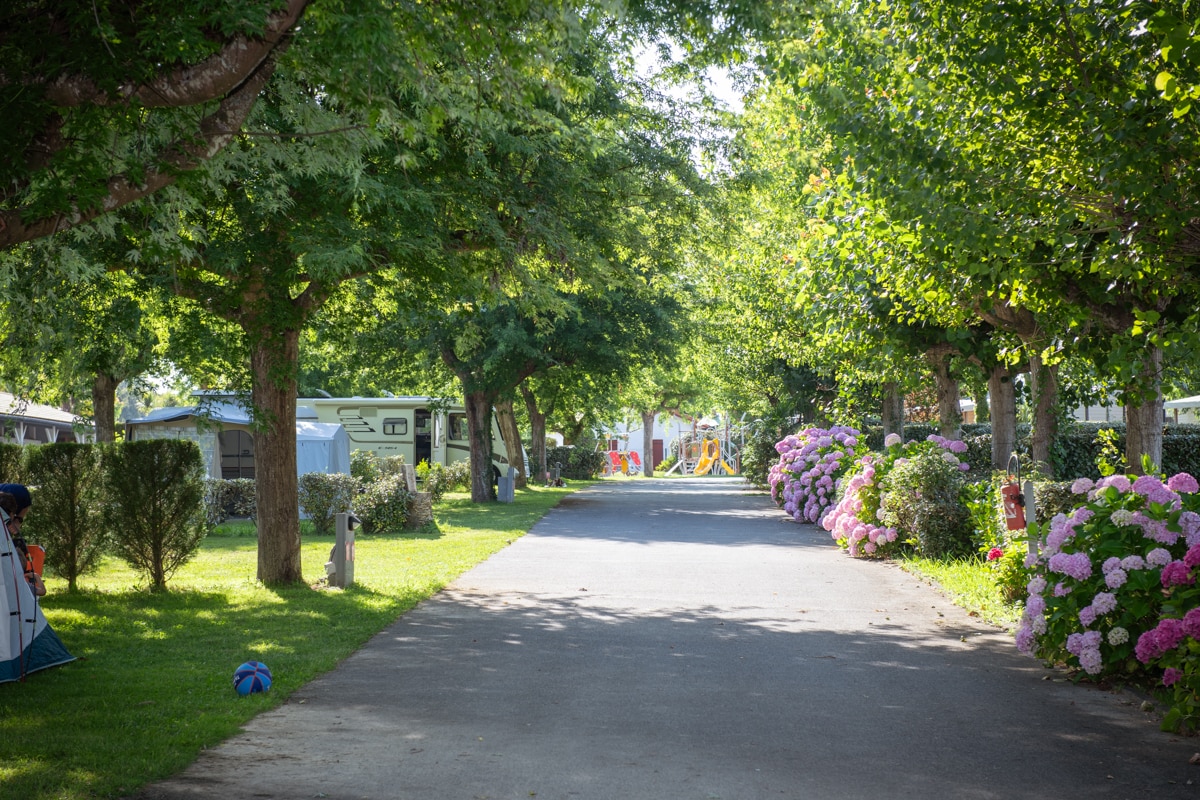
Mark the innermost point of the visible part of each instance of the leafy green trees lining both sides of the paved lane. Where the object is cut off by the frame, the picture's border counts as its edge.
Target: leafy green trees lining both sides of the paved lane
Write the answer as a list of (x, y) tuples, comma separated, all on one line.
[(488, 200)]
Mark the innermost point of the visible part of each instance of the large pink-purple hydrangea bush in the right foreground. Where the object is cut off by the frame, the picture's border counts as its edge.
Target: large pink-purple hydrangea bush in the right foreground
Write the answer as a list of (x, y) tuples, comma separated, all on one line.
[(1106, 575)]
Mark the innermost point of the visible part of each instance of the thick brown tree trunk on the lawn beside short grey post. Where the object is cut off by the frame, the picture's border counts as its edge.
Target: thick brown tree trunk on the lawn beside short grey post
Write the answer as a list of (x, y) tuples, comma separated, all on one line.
[(273, 362)]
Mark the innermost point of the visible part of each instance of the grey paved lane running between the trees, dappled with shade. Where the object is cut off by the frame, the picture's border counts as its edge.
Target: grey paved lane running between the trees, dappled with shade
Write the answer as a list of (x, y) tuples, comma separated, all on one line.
[(681, 640)]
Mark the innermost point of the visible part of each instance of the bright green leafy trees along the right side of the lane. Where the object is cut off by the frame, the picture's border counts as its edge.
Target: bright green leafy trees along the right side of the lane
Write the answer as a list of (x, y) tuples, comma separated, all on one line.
[(958, 194)]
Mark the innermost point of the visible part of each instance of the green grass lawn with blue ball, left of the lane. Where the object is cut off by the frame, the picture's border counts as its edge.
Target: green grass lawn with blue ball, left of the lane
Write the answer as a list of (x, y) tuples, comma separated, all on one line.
[(153, 683)]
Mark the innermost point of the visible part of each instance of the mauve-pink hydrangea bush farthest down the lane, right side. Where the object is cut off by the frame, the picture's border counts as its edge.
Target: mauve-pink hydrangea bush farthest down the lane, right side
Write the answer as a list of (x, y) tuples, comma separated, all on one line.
[(805, 482)]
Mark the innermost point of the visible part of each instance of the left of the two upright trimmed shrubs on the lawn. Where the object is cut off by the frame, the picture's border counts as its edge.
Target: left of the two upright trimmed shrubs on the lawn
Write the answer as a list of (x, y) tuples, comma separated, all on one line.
[(69, 507)]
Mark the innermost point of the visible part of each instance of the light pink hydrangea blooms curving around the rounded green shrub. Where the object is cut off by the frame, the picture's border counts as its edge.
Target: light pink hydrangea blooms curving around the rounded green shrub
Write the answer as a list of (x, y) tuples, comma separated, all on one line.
[(856, 522)]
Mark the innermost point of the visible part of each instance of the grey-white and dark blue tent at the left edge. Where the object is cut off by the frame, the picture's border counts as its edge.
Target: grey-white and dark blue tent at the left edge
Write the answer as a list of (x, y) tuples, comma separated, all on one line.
[(29, 645)]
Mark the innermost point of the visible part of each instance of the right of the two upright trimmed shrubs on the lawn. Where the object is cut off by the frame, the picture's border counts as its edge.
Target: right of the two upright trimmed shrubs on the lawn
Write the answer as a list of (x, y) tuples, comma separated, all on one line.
[(154, 504)]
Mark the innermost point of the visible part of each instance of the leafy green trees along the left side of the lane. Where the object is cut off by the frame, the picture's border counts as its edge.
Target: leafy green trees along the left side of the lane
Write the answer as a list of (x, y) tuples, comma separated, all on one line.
[(274, 197)]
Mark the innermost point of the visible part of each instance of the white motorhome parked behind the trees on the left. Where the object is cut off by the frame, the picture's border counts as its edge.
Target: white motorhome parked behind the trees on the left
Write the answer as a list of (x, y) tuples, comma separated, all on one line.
[(419, 429)]
